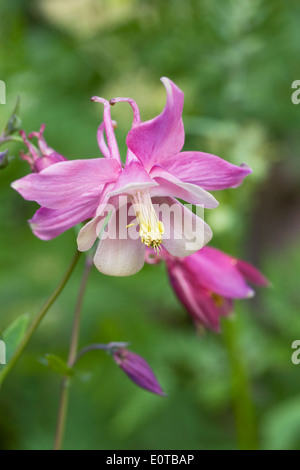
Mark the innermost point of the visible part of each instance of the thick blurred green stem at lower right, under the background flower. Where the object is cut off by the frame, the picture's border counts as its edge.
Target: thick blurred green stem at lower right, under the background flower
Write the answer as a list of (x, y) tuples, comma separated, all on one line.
[(241, 393)]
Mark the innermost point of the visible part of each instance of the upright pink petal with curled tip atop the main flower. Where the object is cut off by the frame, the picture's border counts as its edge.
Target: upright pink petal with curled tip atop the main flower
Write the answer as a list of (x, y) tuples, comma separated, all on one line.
[(157, 140)]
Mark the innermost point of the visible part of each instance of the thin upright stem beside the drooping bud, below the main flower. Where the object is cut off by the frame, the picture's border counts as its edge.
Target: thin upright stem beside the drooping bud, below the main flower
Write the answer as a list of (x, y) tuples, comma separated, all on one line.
[(65, 385)]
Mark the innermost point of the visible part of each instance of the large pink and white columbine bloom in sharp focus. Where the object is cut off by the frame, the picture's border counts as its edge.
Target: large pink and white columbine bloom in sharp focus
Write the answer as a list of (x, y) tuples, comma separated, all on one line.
[(156, 174)]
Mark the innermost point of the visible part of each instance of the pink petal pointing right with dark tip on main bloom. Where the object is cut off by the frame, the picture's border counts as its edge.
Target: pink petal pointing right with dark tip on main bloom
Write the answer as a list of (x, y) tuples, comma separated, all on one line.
[(206, 170)]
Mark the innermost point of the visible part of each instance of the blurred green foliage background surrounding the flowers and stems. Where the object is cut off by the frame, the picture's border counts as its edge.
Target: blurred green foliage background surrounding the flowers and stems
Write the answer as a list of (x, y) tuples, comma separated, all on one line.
[(236, 62)]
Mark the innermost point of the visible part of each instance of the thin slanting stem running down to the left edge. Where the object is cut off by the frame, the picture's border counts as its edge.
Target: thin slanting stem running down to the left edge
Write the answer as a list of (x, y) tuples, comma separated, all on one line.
[(38, 318)]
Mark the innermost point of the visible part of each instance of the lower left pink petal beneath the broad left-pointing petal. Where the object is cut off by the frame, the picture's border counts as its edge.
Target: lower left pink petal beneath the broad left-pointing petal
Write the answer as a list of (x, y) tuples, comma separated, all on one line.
[(49, 223)]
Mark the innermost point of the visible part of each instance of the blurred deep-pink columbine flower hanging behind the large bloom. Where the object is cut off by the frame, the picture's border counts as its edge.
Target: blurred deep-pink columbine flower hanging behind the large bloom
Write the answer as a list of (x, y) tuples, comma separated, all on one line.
[(207, 282)]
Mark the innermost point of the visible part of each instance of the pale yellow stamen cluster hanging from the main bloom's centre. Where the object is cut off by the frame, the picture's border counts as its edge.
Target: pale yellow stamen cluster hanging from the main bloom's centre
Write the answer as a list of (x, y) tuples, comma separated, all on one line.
[(151, 229)]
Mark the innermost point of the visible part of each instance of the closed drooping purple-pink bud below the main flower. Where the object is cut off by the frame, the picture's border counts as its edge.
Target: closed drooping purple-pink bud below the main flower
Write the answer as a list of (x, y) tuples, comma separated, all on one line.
[(138, 370)]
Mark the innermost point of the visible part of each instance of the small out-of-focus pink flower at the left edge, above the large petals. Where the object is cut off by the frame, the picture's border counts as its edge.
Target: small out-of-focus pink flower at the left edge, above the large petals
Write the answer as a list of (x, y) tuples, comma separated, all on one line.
[(44, 156)]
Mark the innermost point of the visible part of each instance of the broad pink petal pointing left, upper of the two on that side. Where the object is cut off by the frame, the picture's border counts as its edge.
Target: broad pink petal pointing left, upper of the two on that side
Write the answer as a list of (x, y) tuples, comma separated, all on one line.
[(59, 185)]
